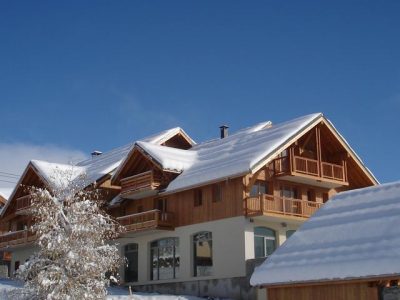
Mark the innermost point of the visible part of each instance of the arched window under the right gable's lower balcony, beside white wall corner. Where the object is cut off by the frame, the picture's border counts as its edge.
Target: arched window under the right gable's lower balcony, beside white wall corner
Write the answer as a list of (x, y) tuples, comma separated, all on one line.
[(264, 241)]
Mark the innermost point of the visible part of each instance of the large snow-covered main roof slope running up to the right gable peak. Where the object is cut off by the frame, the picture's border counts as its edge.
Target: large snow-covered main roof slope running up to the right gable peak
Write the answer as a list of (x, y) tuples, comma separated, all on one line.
[(237, 153)]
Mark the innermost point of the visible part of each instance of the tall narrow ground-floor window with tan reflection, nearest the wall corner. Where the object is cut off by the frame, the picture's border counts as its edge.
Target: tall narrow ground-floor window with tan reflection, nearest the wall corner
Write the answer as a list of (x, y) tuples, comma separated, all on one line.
[(202, 254)]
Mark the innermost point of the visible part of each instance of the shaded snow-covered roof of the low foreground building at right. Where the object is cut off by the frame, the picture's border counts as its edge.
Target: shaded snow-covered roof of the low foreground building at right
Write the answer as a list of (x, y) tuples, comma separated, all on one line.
[(354, 235)]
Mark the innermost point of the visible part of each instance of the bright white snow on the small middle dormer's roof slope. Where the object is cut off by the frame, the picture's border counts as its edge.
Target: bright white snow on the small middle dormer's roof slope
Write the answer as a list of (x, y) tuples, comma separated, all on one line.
[(169, 158)]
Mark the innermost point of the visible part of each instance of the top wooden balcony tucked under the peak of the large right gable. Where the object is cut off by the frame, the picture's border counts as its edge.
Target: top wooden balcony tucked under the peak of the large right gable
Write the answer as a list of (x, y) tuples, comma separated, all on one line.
[(292, 165)]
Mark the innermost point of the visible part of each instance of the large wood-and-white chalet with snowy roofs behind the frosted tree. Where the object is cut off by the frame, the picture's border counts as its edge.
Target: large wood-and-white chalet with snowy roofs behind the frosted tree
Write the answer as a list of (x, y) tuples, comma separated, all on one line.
[(197, 216)]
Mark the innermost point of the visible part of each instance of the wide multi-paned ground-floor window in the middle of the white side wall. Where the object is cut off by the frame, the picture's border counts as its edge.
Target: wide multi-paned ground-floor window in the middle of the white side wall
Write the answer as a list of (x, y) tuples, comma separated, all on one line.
[(165, 259)]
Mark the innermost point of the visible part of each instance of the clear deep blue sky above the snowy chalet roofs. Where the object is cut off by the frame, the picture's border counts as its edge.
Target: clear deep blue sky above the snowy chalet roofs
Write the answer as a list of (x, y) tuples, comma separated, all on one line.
[(82, 75)]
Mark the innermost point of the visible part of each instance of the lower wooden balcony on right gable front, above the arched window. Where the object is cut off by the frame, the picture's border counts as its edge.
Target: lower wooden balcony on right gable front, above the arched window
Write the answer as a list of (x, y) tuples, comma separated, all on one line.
[(265, 204)]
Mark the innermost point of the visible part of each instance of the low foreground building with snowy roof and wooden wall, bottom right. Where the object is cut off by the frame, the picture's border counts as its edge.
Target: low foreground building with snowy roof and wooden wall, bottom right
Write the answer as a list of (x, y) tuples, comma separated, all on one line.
[(347, 250)]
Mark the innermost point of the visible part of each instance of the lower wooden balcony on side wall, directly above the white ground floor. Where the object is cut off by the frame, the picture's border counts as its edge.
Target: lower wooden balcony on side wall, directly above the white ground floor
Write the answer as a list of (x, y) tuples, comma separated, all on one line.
[(153, 219)]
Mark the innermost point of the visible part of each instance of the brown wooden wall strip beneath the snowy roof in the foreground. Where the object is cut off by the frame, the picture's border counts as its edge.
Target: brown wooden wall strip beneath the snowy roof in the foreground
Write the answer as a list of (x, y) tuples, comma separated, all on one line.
[(343, 291)]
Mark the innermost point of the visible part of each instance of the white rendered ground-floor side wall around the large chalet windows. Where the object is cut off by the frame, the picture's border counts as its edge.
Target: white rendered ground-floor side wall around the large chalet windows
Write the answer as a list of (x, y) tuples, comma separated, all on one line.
[(228, 240)]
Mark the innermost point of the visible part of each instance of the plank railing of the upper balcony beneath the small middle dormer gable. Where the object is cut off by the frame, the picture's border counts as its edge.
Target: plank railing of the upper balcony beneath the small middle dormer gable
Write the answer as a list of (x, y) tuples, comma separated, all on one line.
[(140, 182)]
